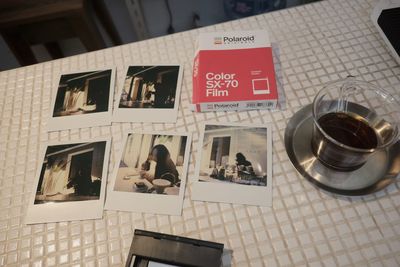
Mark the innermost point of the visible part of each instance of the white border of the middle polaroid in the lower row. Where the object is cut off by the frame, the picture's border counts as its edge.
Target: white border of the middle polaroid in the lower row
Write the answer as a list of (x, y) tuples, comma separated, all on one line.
[(149, 203)]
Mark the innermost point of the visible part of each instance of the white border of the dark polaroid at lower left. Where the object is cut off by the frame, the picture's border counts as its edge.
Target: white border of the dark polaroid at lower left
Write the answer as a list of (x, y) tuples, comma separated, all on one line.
[(72, 210)]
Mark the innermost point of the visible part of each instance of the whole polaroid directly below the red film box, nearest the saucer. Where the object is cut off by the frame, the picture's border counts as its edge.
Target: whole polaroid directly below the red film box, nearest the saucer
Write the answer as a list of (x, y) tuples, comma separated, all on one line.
[(234, 164)]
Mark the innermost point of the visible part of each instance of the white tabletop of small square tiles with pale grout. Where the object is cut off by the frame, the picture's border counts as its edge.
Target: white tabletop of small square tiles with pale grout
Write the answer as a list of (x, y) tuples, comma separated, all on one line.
[(319, 42)]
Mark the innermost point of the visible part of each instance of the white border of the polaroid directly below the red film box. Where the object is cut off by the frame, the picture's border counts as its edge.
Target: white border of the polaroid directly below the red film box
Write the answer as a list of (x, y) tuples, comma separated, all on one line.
[(234, 193)]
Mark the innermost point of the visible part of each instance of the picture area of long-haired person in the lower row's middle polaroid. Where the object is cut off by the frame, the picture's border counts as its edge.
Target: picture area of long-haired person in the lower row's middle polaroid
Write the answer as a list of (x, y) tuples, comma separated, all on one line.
[(152, 163)]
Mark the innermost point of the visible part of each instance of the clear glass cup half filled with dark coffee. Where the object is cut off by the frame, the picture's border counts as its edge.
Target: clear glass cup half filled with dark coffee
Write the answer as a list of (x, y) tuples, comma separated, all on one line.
[(353, 119)]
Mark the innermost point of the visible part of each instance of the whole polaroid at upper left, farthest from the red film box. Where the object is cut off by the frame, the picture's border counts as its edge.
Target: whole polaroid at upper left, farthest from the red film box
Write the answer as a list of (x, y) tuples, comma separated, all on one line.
[(83, 99)]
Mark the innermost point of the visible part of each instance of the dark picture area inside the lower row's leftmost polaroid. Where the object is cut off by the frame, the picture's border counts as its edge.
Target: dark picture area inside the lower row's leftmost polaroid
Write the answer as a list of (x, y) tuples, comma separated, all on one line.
[(71, 172)]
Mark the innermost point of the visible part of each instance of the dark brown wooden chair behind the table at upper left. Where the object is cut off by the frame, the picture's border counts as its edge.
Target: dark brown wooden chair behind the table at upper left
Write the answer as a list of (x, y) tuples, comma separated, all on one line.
[(24, 23)]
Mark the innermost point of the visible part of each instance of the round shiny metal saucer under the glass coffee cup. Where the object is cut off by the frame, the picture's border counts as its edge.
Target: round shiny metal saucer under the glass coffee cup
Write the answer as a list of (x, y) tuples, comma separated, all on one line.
[(379, 171)]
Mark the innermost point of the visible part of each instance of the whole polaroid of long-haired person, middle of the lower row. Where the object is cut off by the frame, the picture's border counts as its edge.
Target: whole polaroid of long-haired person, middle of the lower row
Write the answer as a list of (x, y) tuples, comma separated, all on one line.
[(150, 175)]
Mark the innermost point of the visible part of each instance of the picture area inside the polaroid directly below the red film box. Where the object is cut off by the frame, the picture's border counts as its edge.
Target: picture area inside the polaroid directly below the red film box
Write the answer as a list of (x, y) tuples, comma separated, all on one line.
[(232, 154)]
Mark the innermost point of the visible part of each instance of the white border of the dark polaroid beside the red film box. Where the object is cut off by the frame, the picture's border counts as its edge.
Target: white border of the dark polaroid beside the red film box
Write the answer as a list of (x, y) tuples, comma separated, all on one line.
[(156, 115)]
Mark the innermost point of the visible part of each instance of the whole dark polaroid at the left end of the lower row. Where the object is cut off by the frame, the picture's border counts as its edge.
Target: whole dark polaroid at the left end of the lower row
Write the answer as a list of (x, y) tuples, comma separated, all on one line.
[(70, 182)]
